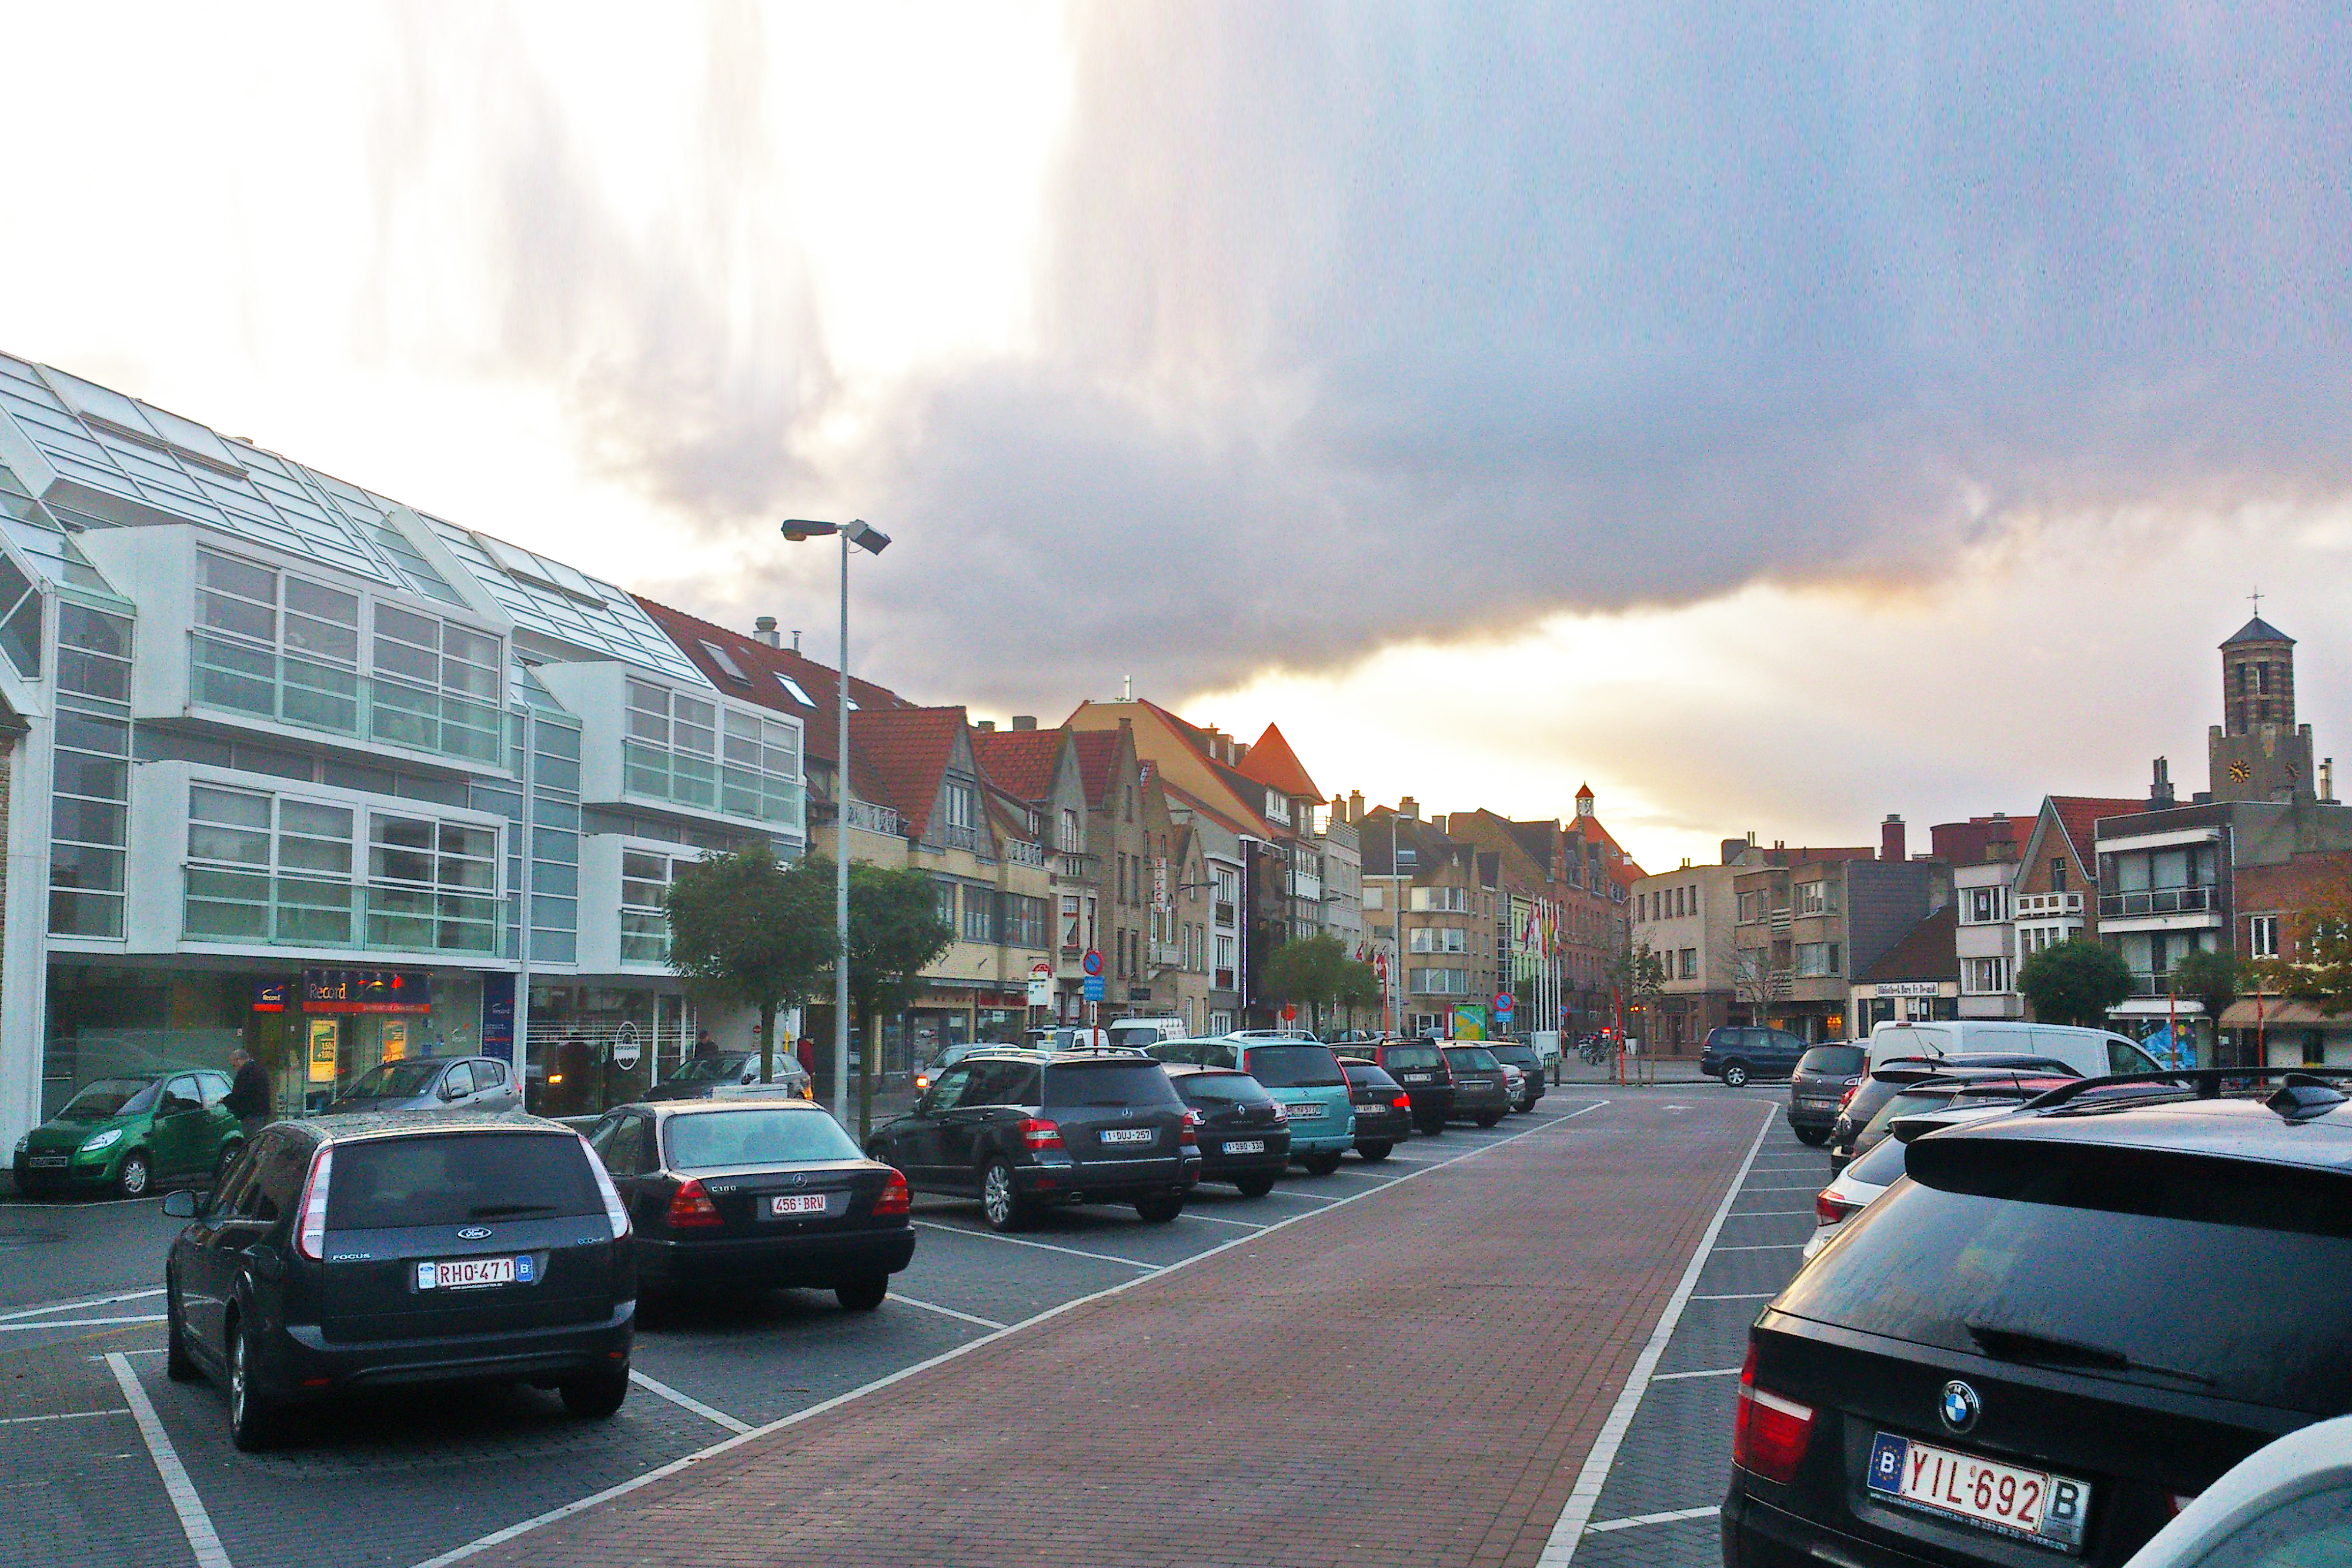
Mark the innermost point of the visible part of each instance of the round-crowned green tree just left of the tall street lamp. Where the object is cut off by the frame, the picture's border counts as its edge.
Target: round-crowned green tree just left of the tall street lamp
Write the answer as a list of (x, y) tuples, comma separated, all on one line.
[(751, 932)]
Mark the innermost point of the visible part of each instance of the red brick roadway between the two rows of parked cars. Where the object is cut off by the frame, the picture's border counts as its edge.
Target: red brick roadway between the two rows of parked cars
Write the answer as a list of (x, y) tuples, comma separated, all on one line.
[(1410, 1379)]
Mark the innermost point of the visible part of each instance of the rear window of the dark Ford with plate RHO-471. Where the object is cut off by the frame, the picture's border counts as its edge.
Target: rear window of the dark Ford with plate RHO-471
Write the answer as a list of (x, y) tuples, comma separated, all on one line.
[(448, 1179)]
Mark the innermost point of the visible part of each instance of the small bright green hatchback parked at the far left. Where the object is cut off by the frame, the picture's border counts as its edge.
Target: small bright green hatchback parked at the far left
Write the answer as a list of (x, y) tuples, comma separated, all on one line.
[(131, 1137)]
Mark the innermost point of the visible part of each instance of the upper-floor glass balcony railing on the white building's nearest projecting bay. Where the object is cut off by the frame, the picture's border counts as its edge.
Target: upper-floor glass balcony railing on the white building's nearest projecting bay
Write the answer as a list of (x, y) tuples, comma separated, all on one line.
[(340, 702)]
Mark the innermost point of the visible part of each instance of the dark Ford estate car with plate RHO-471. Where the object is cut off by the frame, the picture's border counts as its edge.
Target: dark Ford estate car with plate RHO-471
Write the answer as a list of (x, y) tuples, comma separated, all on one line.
[(420, 1247)]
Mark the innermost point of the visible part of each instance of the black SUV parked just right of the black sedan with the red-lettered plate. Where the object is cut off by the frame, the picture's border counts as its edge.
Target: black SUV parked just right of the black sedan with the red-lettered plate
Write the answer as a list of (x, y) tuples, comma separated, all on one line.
[(1022, 1130)]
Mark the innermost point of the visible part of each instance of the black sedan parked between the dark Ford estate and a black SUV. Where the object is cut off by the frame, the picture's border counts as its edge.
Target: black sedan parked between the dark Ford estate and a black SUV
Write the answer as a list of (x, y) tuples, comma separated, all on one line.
[(756, 1193)]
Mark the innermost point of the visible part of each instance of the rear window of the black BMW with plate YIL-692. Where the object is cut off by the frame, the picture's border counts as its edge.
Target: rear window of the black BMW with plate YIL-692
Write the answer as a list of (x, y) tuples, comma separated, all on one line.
[(2109, 1273)]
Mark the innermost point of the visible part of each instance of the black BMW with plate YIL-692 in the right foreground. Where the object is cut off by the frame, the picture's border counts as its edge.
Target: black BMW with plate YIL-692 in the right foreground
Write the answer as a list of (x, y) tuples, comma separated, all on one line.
[(2054, 1332)]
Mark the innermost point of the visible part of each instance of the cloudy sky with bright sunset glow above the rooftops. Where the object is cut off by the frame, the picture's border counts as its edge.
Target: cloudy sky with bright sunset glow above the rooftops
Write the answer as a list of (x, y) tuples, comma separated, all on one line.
[(1775, 417)]
